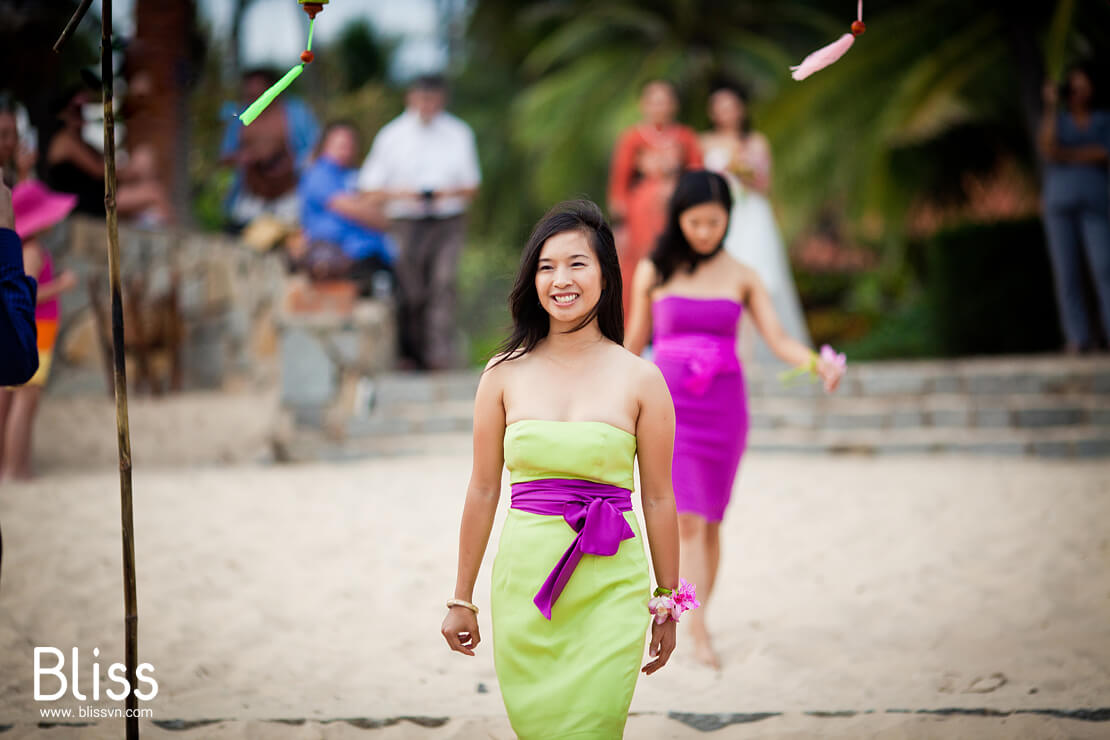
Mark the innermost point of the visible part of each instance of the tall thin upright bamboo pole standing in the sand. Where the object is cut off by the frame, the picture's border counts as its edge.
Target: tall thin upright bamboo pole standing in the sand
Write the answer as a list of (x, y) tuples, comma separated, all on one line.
[(123, 427)]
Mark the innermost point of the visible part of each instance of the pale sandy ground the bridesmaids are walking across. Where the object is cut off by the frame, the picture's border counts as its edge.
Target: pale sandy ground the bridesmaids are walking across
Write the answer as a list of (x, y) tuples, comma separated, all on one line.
[(933, 597)]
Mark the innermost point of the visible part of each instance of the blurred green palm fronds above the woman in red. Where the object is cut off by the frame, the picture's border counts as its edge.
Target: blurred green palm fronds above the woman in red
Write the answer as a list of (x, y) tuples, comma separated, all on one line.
[(592, 59)]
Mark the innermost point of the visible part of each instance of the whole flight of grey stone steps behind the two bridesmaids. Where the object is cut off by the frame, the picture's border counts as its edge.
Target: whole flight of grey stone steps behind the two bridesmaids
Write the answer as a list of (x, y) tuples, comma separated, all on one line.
[(1045, 406)]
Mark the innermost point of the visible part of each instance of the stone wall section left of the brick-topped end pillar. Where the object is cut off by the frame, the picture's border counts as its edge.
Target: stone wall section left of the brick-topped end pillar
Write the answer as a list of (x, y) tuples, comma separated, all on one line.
[(227, 296)]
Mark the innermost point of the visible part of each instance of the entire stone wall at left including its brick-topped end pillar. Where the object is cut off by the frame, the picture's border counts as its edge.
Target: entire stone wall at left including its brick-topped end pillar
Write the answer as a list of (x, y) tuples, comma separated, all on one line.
[(245, 323)]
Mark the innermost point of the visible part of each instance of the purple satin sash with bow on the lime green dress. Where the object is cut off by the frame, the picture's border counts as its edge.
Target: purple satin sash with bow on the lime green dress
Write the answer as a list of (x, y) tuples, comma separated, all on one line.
[(592, 510)]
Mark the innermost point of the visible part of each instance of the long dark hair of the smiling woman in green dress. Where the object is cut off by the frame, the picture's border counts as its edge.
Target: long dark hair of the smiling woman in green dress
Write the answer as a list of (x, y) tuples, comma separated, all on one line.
[(531, 322)]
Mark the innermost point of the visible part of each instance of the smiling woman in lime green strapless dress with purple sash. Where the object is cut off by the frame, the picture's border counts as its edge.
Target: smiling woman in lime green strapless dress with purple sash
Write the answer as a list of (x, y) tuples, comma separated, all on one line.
[(568, 411)]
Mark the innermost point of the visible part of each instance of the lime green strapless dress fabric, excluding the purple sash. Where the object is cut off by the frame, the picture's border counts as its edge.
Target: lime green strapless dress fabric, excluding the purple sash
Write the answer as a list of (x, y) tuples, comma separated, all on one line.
[(572, 676)]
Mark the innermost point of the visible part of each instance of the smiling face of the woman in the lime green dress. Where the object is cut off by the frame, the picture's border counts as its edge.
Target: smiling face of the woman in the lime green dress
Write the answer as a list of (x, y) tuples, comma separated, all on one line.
[(569, 278)]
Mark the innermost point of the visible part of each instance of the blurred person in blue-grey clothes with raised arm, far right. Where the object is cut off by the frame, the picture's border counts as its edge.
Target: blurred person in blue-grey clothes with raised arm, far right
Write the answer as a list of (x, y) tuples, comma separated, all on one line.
[(1075, 143)]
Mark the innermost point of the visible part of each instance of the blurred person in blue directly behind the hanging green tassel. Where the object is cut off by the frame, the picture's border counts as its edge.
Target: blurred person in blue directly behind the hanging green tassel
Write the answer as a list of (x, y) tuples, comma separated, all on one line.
[(268, 156)]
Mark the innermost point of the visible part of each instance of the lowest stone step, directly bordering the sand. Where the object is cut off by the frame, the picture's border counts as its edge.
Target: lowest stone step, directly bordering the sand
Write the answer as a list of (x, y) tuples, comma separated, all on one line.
[(1077, 442)]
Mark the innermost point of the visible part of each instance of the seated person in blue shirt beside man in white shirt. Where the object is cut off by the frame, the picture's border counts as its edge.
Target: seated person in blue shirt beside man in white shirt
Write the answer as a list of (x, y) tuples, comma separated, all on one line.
[(345, 230)]
